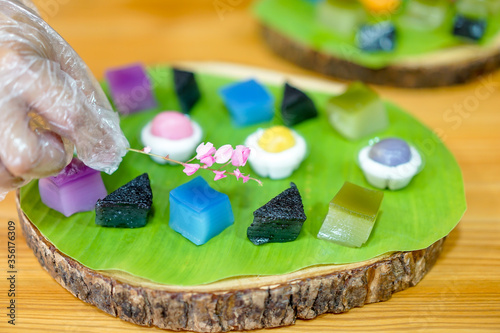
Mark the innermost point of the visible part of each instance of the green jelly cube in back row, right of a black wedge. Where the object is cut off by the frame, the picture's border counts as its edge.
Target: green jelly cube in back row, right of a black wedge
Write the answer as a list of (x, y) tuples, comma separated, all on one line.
[(358, 112)]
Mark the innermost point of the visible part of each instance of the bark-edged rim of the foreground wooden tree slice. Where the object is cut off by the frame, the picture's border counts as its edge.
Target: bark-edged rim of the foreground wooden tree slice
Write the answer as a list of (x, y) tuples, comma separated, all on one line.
[(243, 303)]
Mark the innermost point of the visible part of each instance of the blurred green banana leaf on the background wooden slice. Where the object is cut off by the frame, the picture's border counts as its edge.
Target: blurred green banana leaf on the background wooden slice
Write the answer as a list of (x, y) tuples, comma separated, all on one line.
[(297, 19)]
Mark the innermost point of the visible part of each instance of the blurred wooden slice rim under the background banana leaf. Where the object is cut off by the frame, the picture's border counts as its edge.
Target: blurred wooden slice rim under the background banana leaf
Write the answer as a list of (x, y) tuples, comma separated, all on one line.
[(448, 67)]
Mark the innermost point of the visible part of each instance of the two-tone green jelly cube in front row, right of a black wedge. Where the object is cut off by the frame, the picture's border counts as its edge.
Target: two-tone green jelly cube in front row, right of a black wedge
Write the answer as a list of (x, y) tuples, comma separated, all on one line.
[(351, 215)]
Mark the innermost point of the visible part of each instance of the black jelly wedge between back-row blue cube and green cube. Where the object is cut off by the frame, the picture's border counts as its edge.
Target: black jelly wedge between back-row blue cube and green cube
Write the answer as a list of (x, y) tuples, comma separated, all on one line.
[(296, 106)]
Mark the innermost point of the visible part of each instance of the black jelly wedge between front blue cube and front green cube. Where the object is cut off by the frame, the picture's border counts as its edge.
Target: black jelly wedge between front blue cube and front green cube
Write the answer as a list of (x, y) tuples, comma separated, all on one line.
[(280, 220)]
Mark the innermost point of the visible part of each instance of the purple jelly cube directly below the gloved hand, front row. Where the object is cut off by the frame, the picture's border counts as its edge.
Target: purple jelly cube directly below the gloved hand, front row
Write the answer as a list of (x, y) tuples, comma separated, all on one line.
[(75, 189)]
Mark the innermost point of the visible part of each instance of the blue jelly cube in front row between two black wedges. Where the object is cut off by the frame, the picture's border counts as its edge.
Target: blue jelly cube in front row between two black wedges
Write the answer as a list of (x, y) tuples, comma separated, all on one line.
[(199, 212)]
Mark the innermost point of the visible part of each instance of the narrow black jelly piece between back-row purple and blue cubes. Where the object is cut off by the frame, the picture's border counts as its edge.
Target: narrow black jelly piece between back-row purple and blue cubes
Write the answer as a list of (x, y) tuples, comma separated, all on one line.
[(187, 89)]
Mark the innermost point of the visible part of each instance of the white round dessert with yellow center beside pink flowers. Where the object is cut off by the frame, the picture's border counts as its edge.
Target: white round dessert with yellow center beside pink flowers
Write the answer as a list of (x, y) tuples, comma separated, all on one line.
[(276, 152)]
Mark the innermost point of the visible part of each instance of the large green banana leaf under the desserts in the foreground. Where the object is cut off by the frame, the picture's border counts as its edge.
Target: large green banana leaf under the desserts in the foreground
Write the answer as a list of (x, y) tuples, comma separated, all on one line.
[(410, 219)]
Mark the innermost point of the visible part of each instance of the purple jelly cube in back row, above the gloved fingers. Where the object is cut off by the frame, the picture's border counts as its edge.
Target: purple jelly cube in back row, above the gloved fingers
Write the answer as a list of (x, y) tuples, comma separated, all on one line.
[(130, 88)]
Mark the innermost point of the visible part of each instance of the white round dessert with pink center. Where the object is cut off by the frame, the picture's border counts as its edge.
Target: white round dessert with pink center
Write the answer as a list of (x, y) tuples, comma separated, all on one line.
[(172, 133)]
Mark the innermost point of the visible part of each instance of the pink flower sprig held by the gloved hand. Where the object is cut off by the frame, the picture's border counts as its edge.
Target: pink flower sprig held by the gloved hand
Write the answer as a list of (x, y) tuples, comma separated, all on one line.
[(207, 156)]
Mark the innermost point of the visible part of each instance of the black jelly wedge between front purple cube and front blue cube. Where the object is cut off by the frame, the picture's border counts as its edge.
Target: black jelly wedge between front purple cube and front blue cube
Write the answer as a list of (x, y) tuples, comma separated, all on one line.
[(127, 207)]
